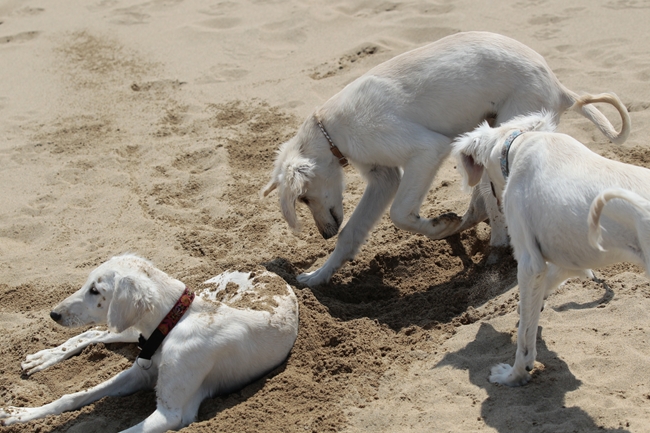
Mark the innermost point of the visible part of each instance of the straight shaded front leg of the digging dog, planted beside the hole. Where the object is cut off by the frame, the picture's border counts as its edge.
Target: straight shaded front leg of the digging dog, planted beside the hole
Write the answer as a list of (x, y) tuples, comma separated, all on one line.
[(380, 190)]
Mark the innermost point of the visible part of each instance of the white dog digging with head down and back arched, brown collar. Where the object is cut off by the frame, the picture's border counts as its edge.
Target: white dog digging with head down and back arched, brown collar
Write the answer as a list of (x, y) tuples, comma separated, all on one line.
[(400, 117)]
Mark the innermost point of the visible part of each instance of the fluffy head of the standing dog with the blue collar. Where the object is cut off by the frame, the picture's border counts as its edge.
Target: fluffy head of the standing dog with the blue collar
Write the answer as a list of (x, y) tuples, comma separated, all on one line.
[(479, 151)]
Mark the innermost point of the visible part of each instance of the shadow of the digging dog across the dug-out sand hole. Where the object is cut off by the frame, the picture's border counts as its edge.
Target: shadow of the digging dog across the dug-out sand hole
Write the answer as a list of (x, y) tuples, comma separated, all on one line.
[(372, 291)]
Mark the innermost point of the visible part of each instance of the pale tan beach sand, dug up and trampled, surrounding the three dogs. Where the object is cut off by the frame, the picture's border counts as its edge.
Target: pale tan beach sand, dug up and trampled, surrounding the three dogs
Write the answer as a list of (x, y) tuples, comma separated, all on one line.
[(150, 127)]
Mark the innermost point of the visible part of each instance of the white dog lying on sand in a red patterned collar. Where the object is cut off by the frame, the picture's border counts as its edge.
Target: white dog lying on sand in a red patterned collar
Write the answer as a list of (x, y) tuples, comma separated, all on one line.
[(237, 328)]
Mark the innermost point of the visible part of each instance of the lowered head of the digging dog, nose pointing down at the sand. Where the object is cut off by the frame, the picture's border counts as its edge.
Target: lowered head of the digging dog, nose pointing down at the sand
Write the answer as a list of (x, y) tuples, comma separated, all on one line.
[(305, 171)]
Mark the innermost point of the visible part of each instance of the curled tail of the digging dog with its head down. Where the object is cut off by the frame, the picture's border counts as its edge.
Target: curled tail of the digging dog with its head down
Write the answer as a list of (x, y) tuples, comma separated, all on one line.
[(582, 105)]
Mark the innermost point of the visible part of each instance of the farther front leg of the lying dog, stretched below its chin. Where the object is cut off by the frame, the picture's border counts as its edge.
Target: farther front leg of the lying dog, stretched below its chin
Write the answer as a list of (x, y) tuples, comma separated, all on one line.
[(48, 357)]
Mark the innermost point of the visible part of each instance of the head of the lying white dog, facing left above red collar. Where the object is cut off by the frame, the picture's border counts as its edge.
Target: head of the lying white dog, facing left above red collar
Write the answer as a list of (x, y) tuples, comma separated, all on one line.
[(117, 293)]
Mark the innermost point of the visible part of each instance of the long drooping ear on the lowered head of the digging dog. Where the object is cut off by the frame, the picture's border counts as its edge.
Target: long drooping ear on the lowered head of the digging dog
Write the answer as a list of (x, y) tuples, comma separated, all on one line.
[(296, 174)]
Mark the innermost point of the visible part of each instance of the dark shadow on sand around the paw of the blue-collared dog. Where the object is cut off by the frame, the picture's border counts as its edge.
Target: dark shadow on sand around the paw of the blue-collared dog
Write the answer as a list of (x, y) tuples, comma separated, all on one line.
[(537, 407)]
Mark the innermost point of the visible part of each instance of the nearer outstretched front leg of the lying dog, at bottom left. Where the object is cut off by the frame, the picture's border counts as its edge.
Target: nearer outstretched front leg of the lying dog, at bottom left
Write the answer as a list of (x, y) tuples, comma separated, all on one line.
[(125, 383)]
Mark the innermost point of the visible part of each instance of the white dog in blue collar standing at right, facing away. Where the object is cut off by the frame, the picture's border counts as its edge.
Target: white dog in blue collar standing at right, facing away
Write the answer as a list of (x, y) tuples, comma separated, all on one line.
[(547, 182)]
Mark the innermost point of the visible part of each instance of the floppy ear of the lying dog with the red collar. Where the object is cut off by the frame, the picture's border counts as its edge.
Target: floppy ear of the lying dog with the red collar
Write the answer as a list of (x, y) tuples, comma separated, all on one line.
[(128, 304)]
